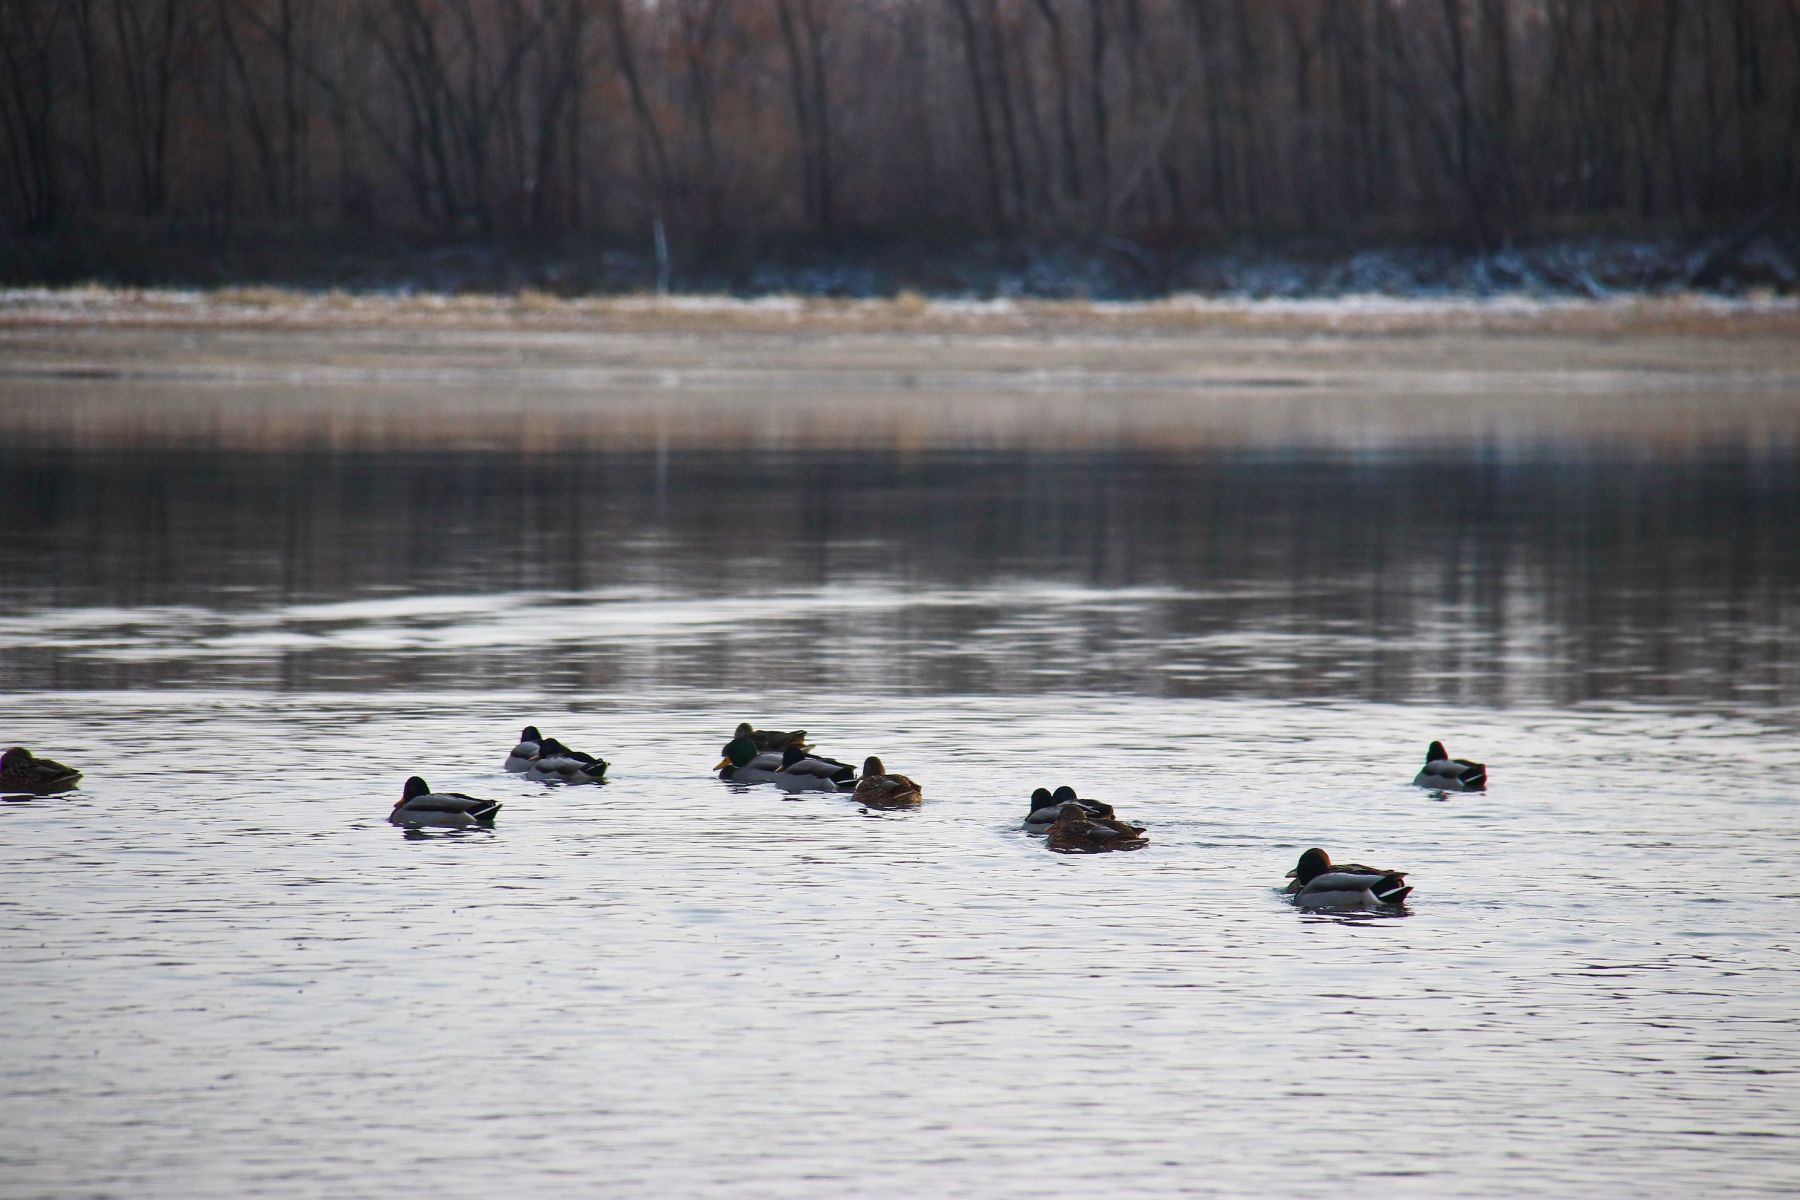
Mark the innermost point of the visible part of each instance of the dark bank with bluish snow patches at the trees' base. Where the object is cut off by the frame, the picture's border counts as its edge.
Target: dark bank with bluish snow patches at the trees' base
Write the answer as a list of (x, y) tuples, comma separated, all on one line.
[(1754, 260)]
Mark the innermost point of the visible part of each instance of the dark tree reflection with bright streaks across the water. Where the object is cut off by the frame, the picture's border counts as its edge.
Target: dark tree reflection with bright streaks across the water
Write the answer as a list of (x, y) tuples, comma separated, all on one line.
[(1459, 573)]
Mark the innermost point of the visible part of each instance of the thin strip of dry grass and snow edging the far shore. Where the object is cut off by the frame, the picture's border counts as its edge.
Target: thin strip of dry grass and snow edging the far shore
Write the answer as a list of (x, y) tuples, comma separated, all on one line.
[(292, 309)]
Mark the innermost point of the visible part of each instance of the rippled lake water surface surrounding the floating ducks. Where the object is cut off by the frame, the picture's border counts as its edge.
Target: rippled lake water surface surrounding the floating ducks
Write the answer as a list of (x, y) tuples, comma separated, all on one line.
[(251, 600)]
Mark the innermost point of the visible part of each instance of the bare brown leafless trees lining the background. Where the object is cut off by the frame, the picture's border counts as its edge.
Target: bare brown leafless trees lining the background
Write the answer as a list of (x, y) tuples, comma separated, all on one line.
[(1144, 121)]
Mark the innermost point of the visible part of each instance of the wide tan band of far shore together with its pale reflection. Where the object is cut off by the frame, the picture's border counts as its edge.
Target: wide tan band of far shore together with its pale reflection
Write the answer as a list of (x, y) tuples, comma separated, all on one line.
[(544, 375)]
